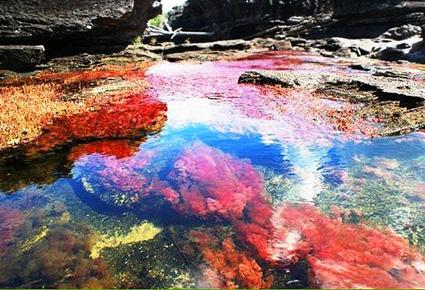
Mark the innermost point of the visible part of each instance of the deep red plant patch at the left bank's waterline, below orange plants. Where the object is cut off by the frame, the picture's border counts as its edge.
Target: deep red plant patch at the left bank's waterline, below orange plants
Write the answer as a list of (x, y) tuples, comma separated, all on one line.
[(137, 113)]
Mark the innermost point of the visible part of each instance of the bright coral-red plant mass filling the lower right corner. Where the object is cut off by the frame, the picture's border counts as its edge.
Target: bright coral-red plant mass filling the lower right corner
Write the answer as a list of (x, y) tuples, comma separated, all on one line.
[(339, 255)]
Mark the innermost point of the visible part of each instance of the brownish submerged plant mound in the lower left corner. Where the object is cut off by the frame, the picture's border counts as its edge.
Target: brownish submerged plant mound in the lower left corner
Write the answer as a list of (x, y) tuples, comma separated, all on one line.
[(60, 259)]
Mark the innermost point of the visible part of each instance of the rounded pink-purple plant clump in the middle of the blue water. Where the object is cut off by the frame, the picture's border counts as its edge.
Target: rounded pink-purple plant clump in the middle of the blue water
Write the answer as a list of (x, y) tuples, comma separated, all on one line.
[(214, 184)]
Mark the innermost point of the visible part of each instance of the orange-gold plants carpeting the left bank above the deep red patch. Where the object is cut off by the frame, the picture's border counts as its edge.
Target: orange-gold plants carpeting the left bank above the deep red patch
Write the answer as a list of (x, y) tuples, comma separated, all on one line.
[(29, 104)]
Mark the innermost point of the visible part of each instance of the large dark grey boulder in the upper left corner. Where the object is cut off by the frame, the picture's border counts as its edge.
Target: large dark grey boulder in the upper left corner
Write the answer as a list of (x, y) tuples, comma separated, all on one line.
[(77, 23)]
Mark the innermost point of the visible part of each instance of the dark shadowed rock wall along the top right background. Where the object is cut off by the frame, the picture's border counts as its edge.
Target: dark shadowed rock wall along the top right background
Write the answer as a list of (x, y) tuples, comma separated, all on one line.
[(238, 18)]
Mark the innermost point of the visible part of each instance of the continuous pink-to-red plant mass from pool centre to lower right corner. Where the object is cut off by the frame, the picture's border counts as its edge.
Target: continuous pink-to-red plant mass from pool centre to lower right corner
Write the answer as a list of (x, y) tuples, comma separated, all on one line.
[(339, 255)]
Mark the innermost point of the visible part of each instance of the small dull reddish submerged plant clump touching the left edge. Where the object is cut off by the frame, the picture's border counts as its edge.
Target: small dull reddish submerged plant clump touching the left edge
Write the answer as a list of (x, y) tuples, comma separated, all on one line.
[(10, 221)]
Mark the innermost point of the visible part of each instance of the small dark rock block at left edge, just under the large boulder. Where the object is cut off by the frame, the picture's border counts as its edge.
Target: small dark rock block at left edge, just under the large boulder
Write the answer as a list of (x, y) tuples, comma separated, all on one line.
[(21, 57)]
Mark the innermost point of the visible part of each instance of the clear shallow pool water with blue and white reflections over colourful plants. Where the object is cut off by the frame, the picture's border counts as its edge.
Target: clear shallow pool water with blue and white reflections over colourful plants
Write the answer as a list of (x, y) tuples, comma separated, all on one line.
[(219, 180)]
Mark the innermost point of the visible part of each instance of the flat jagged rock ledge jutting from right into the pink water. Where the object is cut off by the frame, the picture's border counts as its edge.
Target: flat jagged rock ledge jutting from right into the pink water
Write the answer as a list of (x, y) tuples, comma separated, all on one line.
[(394, 96)]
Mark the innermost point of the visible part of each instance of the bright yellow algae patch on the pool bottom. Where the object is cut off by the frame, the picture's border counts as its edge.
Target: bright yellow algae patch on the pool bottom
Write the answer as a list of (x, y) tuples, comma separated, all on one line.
[(139, 233)]
